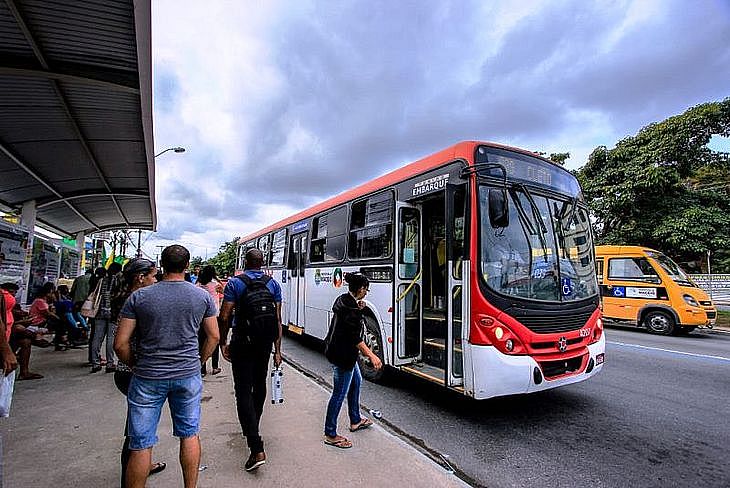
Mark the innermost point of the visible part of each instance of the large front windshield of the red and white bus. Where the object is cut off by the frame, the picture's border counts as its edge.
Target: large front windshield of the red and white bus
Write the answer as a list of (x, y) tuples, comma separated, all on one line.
[(544, 253)]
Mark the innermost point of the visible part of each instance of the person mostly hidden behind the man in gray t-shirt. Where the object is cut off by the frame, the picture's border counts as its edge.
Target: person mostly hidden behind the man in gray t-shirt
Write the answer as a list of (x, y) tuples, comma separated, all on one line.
[(137, 273)]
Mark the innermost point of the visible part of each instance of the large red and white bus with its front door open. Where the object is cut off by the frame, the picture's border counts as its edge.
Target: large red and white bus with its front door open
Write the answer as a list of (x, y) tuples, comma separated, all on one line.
[(481, 266)]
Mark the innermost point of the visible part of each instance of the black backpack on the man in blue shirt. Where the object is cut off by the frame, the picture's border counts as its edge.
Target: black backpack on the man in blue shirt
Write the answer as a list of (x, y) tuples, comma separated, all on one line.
[(256, 318)]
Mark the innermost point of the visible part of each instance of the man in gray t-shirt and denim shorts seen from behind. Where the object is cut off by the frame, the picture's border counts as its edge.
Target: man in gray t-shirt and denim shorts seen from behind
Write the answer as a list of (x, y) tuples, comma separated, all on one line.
[(163, 320)]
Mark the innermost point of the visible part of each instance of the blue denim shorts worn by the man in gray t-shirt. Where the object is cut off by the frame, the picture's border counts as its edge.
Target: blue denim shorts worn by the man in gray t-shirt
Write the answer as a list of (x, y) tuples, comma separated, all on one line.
[(144, 403)]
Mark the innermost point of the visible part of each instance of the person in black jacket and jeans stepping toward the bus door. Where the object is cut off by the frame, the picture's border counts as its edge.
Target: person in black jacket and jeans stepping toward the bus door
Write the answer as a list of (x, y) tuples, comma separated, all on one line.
[(344, 342)]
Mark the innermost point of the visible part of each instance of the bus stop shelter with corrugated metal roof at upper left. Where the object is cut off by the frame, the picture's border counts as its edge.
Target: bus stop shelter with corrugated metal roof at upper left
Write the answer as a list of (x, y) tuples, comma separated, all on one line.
[(76, 138)]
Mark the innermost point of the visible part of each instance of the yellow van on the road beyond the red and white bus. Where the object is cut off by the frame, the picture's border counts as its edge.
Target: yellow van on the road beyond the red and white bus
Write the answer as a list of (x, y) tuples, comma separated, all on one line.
[(643, 287)]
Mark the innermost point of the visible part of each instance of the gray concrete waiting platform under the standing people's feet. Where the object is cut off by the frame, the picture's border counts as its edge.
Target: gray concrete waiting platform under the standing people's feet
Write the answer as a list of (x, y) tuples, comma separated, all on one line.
[(66, 430)]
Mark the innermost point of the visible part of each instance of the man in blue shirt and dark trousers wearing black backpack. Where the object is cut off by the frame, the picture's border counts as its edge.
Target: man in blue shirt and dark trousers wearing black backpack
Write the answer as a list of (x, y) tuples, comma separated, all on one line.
[(255, 300)]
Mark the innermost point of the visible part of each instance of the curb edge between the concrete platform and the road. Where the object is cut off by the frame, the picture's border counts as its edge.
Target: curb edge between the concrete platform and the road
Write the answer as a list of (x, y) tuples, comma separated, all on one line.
[(416, 443)]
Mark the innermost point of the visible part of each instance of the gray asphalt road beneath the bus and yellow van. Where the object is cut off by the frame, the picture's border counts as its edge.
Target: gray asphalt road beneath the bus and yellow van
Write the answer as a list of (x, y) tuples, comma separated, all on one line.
[(657, 415)]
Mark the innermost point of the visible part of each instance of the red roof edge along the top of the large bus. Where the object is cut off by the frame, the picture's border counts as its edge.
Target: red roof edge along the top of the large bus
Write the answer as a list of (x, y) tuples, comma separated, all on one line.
[(462, 150)]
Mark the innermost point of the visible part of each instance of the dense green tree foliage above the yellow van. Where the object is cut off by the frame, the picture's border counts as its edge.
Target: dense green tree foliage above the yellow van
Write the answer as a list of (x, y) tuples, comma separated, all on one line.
[(664, 187)]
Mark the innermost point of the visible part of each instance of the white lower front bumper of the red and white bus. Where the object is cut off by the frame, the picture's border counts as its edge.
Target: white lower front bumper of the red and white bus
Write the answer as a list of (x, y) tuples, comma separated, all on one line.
[(497, 374)]
